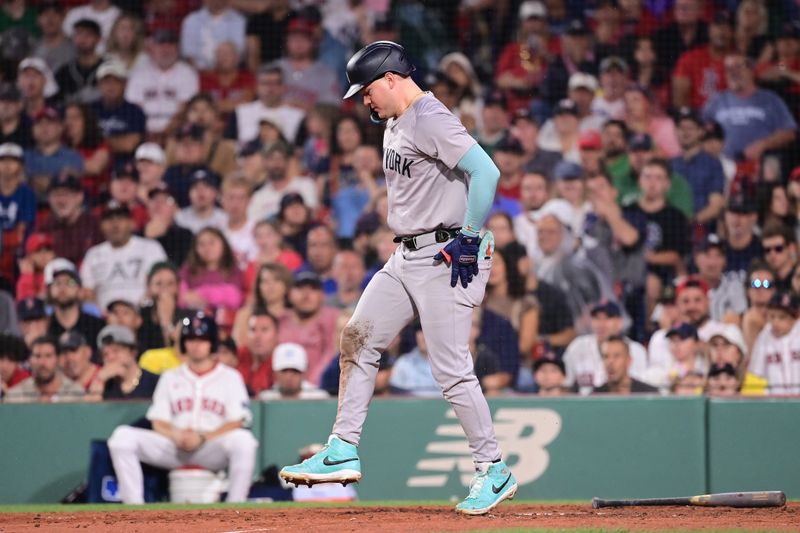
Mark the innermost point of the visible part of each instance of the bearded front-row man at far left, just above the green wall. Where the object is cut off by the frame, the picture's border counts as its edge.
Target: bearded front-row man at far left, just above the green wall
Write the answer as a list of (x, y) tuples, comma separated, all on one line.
[(47, 383)]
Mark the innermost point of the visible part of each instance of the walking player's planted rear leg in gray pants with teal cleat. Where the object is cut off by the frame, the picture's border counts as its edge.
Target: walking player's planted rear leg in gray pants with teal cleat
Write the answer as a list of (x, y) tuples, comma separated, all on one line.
[(446, 317)]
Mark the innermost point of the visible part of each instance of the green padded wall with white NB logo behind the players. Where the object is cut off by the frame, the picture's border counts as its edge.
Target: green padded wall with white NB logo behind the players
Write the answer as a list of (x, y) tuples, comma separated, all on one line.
[(571, 448)]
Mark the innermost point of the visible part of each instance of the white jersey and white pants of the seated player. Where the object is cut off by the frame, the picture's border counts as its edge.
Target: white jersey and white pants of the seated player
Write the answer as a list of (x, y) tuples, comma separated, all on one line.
[(202, 403)]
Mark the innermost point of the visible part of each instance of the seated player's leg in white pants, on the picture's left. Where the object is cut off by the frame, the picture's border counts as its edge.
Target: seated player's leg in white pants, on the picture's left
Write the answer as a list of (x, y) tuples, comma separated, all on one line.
[(129, 447)]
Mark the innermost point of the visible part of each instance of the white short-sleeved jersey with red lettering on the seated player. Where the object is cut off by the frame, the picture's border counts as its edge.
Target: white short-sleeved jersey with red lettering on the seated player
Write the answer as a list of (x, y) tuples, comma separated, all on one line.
[(200, 403)]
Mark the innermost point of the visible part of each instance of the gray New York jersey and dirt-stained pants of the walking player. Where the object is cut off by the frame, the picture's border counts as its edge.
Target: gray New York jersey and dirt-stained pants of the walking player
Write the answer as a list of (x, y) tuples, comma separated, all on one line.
[(421, 150)]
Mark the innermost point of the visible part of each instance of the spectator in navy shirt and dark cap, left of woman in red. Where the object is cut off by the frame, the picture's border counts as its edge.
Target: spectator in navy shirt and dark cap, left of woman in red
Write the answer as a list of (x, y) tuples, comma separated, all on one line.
[(49, 157)]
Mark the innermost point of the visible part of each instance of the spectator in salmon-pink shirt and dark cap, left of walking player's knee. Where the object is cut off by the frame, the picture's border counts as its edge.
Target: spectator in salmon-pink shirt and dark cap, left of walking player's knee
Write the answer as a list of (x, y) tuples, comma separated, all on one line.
[(310, 323)]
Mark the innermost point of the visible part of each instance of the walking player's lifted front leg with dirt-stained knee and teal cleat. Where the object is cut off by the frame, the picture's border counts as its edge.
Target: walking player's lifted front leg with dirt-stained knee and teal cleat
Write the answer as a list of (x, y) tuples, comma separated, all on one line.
[(382, 311)]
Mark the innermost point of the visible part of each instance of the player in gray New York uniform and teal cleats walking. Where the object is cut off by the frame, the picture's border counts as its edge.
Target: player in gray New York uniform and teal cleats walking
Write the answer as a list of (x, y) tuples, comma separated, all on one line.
[(441, 185)]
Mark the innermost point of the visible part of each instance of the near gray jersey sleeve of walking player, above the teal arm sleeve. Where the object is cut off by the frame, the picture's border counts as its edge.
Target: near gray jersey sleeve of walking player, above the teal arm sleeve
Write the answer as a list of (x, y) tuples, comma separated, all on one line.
[(440, 135)]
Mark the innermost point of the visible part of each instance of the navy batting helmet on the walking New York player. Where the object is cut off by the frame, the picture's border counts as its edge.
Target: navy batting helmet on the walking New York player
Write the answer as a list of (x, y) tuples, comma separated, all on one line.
[(373, 61)]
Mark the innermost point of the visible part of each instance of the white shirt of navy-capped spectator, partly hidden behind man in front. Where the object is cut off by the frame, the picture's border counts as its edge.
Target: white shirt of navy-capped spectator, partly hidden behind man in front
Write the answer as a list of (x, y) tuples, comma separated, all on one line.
[(584, 364)]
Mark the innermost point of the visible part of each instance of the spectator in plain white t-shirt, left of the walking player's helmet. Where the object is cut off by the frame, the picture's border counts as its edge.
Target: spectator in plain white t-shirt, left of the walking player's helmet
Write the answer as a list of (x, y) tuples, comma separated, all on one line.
[(270, 105)]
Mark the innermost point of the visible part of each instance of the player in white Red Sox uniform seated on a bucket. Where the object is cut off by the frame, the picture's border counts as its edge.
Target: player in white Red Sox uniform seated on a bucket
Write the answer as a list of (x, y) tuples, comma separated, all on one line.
[(199, 412)]
